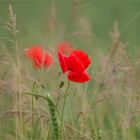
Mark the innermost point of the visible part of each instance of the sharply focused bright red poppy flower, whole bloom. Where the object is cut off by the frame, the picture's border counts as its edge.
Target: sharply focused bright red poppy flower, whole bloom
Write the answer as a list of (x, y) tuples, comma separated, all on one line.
[(75, 64)]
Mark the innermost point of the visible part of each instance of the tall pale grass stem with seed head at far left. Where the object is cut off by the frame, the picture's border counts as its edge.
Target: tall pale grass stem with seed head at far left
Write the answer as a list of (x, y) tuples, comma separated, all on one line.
[(11, 26)]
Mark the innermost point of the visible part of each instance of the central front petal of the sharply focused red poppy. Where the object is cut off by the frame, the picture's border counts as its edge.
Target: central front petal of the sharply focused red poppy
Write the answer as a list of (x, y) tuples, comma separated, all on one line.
[(75, 64)]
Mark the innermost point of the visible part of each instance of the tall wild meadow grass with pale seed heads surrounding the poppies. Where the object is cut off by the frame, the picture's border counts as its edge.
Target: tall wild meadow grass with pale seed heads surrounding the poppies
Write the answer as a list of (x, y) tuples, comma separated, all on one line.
[(41, 105)]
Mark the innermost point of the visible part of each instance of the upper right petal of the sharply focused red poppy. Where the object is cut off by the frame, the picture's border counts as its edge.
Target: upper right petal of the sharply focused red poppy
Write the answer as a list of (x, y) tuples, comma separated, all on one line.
[(82, 56)]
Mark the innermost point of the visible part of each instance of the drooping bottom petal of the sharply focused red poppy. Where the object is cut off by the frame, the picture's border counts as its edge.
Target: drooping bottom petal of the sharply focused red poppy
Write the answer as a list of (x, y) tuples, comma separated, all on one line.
[(78, 77)]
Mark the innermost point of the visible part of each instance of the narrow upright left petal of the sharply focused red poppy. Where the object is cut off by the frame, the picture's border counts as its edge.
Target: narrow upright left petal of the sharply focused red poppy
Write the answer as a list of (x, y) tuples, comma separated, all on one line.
[(63, 62)]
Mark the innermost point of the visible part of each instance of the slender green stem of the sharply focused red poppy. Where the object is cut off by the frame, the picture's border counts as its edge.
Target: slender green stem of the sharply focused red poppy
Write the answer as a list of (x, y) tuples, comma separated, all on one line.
[(63, 107)]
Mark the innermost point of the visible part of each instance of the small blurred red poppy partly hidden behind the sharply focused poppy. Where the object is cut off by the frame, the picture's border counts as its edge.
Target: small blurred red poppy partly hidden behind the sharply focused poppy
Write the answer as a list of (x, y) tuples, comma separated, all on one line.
[(65, 48)]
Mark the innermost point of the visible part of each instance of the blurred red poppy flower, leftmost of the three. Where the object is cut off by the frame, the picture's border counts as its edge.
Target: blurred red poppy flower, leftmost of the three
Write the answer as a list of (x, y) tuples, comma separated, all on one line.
[(39, 57)]
